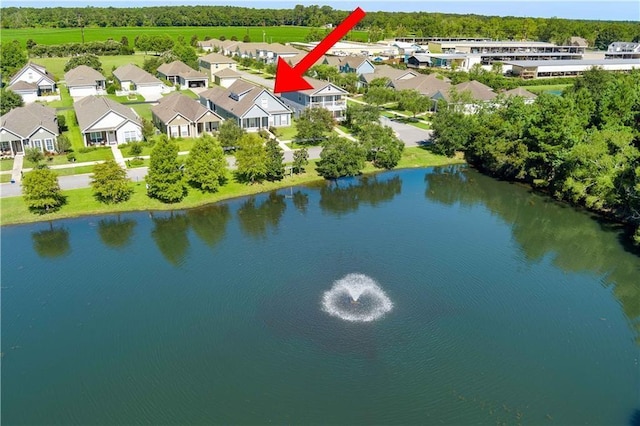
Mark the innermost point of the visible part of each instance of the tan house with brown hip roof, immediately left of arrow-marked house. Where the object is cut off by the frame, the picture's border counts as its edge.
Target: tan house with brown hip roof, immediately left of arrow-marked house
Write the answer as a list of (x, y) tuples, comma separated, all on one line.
[(178, 115)]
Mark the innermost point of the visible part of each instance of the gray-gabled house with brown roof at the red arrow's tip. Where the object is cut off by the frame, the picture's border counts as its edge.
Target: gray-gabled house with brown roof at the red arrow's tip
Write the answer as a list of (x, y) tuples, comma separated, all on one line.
[(253, 107)]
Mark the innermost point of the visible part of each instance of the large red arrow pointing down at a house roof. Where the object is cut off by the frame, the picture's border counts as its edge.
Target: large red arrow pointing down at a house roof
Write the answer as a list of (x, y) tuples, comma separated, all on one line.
[(290, 79)]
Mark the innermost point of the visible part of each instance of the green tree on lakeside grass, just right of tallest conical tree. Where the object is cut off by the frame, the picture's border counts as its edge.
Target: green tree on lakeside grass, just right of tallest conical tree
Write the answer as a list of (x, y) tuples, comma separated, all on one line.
[(206, 167)]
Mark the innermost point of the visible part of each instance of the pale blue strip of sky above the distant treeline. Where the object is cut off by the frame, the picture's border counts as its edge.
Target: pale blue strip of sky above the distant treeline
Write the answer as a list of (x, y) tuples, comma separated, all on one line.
[(618, 10)]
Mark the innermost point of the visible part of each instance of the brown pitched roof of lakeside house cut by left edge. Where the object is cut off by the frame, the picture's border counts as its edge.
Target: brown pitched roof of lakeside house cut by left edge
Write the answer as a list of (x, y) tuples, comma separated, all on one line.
[(24, 121)]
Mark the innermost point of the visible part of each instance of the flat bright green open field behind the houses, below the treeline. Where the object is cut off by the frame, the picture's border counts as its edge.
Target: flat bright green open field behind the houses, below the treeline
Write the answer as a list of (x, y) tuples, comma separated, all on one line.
[(74, 35)]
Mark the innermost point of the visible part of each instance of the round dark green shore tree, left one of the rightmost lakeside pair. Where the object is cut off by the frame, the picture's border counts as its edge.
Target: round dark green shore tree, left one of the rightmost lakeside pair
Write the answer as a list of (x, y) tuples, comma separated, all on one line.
[(340, 157)]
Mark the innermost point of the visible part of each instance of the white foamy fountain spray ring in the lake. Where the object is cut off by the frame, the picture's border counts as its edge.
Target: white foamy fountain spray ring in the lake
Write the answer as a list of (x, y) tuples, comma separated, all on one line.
[(355, 286)]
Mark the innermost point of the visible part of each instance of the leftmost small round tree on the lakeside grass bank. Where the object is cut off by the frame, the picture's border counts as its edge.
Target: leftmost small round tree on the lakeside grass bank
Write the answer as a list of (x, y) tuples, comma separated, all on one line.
[(41, 191)]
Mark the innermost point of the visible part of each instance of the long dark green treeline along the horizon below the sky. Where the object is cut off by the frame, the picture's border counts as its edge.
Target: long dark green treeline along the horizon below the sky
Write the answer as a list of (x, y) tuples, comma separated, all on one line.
[(379, 24)]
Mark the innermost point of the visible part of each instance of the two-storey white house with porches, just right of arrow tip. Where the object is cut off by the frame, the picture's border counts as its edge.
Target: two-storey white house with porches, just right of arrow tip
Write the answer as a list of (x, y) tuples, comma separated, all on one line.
[(323, 94)]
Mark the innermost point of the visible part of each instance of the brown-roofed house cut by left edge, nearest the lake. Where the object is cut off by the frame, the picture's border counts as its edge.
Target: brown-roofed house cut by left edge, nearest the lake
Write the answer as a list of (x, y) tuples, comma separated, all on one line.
[(30, 126)]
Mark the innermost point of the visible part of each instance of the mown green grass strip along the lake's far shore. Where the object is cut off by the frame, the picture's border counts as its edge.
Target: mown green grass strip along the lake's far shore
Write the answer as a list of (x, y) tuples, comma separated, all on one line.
[(80, 202)]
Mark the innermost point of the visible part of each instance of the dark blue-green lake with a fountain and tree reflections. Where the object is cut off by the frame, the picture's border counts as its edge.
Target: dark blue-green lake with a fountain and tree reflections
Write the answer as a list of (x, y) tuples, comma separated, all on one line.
[(504, 307)]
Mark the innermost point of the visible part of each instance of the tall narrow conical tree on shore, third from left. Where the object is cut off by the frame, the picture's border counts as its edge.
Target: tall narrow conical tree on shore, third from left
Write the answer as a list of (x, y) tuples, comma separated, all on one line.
[(165, 180)]
